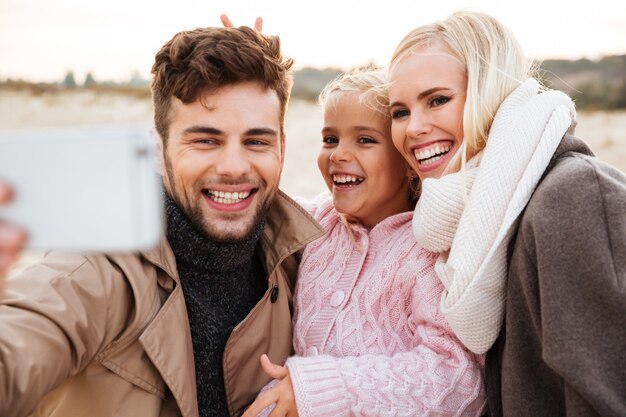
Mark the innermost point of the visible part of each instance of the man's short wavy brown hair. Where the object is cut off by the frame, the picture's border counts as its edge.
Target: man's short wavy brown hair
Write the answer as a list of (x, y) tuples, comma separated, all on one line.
[(203, 60)]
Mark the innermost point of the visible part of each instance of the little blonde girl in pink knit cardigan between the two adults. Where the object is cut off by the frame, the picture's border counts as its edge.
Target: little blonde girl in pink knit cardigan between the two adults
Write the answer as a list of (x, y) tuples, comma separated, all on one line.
[(369, 336)]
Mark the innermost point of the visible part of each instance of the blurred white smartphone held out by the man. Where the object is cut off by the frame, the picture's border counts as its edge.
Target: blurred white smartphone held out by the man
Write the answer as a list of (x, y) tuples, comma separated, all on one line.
[(86, 189)]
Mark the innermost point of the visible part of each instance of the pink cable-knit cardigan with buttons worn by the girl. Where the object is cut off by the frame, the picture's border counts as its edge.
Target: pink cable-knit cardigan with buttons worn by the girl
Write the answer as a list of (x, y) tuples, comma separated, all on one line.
[(369, 336)]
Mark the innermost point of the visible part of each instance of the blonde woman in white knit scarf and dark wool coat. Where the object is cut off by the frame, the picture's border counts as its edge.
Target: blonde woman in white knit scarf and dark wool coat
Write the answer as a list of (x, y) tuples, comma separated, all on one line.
[(531, 229)]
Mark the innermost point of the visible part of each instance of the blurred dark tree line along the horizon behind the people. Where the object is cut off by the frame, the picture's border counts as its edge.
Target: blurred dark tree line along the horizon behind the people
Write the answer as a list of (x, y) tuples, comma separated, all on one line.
[(593, 84)]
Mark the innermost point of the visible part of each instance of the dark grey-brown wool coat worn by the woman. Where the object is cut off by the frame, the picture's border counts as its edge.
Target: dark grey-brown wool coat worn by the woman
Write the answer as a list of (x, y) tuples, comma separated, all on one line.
[(562, 351)]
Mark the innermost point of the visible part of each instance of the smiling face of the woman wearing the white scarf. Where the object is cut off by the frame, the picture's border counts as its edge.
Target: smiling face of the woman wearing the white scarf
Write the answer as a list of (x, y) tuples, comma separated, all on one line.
[(427, 97)]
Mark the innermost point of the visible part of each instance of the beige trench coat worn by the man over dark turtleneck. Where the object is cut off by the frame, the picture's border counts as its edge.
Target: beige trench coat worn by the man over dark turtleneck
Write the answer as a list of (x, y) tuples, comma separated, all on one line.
[(96, 335)]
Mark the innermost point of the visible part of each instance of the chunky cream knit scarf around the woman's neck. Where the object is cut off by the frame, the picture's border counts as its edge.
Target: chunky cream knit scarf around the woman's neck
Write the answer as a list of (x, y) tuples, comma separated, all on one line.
[(470, 216)]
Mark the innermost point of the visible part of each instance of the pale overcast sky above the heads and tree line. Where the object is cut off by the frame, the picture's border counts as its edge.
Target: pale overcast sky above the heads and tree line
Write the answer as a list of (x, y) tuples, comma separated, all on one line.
[(41, 39)]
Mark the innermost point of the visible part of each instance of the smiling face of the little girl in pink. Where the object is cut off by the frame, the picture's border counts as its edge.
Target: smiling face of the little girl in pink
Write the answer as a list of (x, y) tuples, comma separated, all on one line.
[(365, 173)]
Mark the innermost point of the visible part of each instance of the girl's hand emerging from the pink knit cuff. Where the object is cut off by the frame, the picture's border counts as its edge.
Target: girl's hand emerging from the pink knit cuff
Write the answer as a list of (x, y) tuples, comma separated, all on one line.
[(280, 394)]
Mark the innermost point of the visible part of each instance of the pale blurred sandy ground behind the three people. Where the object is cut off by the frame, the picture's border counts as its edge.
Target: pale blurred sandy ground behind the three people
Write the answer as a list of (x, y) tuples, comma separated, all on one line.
[(605, 132)]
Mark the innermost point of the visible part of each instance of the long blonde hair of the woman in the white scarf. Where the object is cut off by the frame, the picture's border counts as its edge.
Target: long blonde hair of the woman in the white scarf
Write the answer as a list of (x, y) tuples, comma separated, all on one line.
[(493, 60)]
